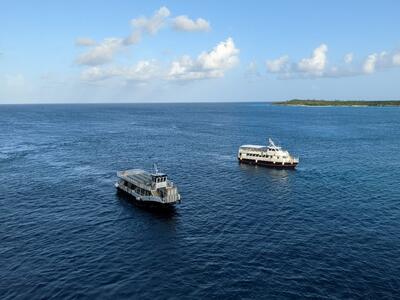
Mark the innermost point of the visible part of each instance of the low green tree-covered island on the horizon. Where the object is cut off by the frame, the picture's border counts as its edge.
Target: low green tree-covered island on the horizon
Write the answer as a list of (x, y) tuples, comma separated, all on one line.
[(299, 102)]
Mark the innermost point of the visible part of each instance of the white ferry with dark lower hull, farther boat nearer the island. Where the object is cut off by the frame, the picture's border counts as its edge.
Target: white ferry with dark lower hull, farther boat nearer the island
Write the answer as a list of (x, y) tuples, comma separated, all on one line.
[(269, 156)]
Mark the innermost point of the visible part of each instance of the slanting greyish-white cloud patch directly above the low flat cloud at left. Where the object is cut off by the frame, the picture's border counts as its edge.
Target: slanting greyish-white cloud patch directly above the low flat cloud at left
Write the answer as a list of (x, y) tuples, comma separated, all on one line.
[(102, 53)]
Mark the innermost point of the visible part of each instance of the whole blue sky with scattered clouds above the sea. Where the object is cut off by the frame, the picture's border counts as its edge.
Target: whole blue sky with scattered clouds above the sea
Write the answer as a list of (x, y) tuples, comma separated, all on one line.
[(194, 51)]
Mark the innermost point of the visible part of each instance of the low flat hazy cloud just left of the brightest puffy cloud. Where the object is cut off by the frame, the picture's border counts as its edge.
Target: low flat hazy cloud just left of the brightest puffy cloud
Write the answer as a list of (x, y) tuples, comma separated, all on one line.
[(143, 70)]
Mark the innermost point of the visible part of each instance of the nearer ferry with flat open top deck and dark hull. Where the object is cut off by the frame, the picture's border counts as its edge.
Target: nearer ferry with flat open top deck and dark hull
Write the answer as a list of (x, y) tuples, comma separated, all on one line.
[(153, 189)]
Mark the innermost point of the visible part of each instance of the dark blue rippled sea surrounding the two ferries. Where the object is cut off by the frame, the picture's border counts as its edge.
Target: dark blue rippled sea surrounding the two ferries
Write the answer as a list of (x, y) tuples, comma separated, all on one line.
[(330, 229)]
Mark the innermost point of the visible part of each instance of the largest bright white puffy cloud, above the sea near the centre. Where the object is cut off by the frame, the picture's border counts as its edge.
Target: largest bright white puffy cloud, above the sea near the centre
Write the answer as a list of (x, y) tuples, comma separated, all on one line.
[(210, 64)]
